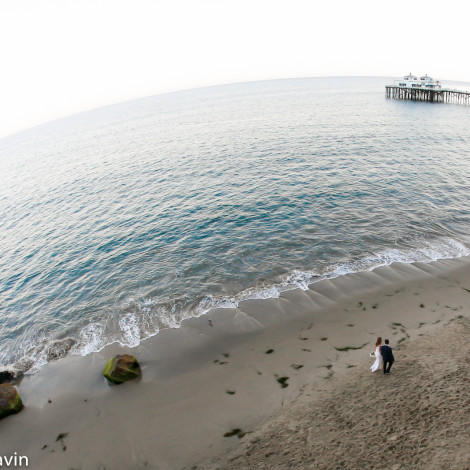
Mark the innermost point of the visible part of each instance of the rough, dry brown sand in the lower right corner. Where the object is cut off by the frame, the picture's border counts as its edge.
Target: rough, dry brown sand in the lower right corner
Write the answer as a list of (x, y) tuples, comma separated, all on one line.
[(418, 417)]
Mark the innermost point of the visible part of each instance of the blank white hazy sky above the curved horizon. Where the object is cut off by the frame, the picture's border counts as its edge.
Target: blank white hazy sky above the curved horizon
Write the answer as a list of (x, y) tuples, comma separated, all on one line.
[(59, 57)]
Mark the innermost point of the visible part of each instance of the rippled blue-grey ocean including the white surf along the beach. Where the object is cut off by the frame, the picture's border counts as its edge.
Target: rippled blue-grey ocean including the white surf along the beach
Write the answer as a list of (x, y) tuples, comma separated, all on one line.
[(125, 220)]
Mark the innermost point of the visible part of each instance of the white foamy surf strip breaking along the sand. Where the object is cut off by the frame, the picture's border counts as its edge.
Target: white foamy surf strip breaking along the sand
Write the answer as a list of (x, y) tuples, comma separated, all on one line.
[(73, 344)]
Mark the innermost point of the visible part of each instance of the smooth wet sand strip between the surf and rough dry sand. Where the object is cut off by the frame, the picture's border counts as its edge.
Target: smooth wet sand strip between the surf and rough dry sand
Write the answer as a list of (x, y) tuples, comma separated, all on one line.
[(177, 414)]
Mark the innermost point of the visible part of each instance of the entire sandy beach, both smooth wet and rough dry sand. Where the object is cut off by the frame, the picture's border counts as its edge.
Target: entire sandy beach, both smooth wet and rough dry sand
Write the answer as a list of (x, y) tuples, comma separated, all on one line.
[(279, 383)]
